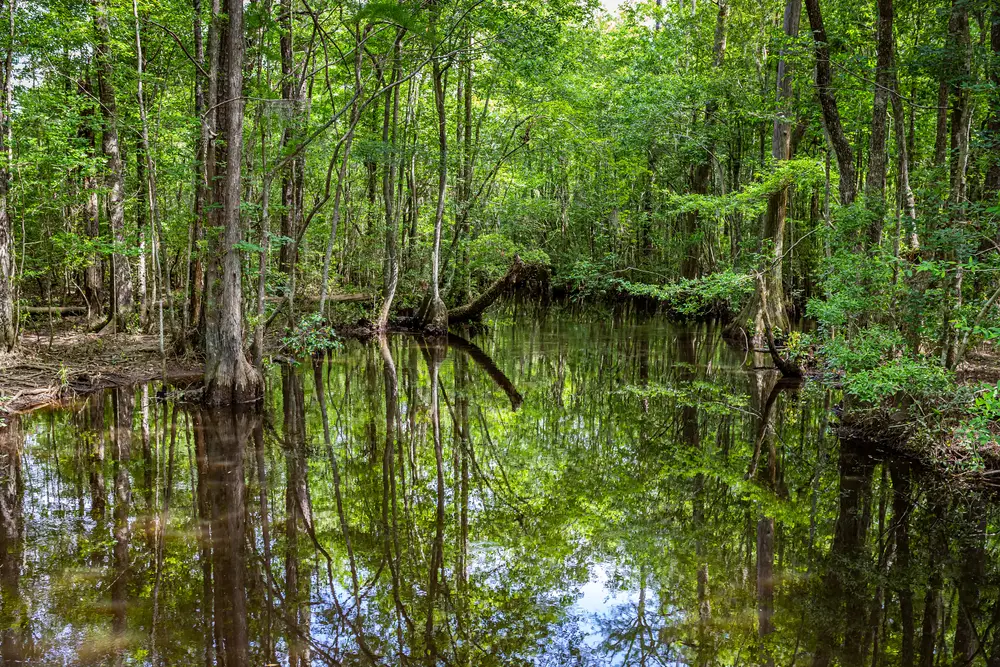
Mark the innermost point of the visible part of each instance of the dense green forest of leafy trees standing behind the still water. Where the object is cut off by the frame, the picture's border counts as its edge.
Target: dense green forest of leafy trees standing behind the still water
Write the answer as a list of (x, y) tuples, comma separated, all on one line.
[(209, 168)]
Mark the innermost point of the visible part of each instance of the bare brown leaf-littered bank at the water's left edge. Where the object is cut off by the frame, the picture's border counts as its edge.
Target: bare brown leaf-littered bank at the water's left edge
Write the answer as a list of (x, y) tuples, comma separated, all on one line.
[(52, 367)]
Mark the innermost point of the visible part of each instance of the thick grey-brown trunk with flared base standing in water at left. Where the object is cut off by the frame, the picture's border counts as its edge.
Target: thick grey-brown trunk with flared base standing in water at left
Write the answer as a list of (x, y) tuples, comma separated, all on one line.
[(229, 376)]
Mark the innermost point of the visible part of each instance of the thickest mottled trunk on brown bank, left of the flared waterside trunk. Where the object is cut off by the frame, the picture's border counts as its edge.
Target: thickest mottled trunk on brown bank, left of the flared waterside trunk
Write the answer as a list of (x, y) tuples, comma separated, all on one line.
[(122, 299)]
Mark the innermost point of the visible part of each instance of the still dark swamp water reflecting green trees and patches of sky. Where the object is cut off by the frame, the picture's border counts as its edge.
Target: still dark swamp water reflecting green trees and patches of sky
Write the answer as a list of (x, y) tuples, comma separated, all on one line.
[(564, 492)]
